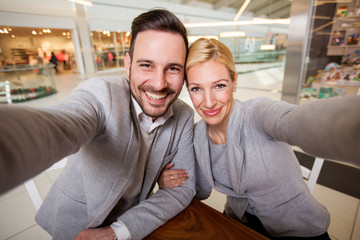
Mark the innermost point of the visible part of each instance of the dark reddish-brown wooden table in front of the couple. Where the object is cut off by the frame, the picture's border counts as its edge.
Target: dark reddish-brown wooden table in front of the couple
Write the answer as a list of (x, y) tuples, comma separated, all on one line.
[(199, 221)]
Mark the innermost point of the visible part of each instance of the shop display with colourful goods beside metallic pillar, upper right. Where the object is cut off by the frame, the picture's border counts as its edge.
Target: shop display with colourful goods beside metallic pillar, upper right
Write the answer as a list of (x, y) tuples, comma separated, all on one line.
[(323, 52)]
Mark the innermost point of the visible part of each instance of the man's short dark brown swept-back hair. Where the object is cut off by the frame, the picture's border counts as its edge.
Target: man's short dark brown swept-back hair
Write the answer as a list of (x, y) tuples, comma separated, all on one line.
[(157, 19)]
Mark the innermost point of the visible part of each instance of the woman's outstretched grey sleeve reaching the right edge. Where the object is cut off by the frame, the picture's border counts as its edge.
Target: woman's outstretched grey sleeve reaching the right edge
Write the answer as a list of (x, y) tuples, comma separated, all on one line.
[(328, 128)]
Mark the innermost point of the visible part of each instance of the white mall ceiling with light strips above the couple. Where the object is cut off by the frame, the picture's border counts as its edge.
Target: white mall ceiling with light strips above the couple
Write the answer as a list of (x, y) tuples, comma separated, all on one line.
[(116, 15)]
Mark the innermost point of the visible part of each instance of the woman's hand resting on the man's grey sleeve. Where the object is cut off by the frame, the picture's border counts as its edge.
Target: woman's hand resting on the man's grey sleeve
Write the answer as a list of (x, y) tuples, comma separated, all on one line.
[(170, 178)]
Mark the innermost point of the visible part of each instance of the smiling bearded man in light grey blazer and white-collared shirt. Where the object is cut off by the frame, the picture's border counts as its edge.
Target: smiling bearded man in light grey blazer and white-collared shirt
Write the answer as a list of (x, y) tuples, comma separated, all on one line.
[(121, 142)]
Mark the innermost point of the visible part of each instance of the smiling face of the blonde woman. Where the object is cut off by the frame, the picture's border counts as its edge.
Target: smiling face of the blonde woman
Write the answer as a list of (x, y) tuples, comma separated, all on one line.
[(211, 91)]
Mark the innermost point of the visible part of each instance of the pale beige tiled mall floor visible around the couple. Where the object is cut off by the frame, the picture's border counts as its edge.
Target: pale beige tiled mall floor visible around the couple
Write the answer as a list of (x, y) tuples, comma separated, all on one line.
[(17, 212)]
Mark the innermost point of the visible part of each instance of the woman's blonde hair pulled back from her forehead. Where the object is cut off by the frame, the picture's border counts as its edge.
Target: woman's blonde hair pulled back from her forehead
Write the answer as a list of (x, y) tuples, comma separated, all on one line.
[(205, 49)]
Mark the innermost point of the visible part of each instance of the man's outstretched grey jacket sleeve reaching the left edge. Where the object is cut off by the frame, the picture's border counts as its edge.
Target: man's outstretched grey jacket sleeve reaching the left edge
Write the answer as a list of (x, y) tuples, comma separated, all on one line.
[(32, 139)]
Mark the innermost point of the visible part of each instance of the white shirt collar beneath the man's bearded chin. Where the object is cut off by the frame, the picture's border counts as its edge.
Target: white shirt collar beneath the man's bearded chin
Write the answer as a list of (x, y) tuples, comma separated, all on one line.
[(145, 121)]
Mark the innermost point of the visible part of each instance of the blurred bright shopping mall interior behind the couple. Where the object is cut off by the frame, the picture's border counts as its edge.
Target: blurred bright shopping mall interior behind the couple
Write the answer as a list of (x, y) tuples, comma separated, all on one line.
[(292, 50)]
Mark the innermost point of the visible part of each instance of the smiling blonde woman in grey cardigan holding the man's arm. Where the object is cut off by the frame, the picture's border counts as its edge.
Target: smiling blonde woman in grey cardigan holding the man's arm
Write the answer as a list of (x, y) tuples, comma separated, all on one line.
[(243, 150)]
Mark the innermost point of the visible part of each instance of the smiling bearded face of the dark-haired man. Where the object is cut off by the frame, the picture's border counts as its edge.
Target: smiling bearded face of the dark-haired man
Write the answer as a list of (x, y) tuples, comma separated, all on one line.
[(156, 71)]
